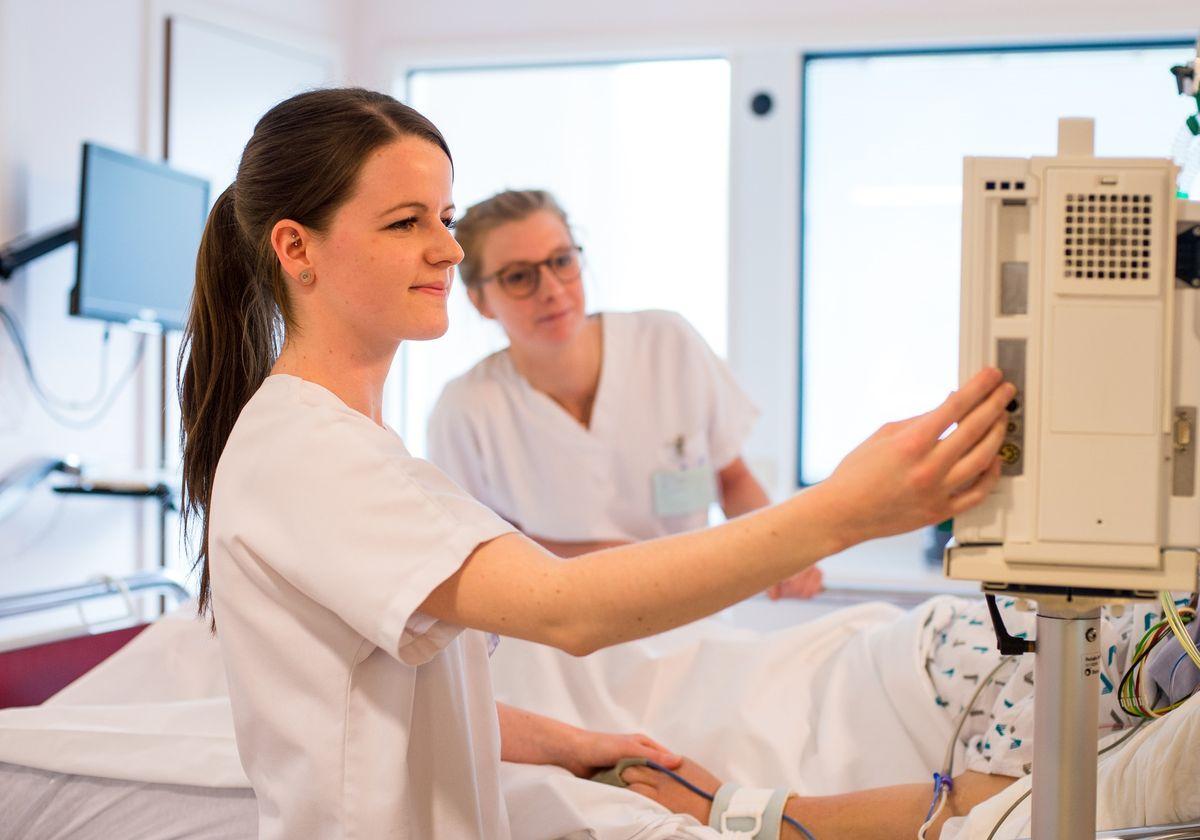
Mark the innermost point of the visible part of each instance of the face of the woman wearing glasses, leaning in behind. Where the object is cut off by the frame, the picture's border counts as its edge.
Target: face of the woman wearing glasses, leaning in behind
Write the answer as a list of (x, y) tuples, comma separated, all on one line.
[(555, 314)]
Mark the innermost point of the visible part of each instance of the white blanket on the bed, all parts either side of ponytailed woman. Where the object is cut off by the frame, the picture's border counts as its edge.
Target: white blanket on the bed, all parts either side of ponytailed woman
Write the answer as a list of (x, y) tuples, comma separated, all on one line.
[(835, 705)]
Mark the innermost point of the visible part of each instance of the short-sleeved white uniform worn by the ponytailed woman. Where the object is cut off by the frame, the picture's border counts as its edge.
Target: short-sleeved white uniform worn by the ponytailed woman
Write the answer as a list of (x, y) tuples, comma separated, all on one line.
[(357, 716)]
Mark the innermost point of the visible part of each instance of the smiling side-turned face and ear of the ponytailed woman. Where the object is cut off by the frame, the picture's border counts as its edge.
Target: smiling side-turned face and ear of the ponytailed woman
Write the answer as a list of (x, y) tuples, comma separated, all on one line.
[(386, 263)]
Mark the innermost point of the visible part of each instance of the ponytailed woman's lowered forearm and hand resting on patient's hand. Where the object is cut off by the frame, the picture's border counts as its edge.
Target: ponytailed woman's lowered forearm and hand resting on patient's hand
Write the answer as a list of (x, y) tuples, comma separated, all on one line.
[(530, 739)]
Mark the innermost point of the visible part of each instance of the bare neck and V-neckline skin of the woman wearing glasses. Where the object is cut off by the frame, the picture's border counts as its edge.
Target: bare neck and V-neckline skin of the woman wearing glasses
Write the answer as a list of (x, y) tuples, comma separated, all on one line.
[(571, 375)]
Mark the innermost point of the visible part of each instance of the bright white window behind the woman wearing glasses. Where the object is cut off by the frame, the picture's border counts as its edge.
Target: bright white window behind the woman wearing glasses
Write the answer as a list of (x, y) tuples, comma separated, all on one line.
[(638, 154)]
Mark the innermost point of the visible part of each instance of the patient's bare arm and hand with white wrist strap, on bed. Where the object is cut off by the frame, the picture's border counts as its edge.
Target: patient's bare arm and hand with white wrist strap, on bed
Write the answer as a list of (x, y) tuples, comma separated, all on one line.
[(875, 814)]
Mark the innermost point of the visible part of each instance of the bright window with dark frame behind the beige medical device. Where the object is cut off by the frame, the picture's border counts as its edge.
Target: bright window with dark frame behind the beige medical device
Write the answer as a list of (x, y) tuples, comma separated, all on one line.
[(884, 143)]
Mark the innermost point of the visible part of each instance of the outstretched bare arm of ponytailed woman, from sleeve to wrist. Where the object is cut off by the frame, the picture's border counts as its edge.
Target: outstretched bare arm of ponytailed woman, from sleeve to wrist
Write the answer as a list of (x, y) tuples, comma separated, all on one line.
[(514, 587)]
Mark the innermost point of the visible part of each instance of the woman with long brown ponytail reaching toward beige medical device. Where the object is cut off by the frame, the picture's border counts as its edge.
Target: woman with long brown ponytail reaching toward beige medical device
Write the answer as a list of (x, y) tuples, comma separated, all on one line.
[(353, 586)]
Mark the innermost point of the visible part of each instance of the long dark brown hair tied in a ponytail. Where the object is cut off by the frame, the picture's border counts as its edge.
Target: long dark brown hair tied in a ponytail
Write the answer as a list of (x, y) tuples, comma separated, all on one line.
[(302, 164)]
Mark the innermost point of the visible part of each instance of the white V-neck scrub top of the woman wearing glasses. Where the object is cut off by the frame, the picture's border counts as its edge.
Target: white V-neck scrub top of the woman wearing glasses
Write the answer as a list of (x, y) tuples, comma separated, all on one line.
[(667, 406)]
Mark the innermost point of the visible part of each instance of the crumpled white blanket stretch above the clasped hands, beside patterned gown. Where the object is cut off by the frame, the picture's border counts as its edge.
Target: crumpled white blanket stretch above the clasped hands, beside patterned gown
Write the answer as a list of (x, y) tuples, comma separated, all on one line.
[(835, 705)]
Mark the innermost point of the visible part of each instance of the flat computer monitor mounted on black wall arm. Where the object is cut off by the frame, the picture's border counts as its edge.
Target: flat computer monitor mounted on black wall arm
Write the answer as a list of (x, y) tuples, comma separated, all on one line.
[(140, 231)]
